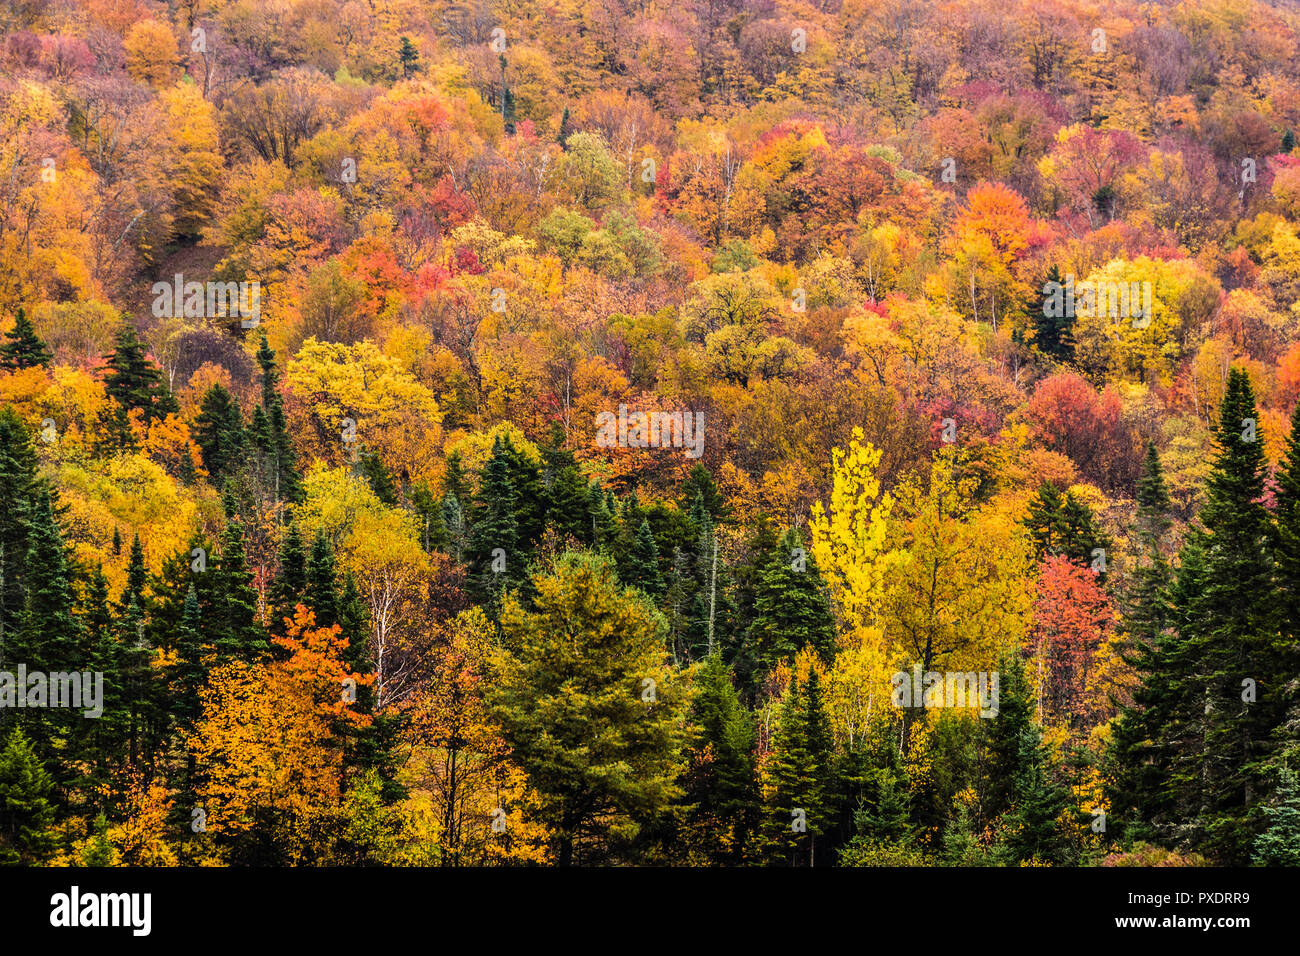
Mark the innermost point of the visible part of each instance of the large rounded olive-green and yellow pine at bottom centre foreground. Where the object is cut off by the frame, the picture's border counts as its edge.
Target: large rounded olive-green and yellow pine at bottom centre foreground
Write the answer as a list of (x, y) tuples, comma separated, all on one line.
[(596, 723)]
